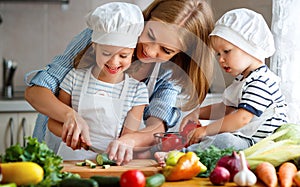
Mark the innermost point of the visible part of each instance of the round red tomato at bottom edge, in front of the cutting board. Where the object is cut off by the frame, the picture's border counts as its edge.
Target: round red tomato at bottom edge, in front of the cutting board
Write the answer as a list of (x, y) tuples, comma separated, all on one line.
[(133, 178)]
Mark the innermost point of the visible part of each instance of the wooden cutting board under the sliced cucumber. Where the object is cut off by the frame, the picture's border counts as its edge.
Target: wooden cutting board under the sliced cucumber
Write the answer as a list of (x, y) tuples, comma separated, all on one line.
[(147, 166)]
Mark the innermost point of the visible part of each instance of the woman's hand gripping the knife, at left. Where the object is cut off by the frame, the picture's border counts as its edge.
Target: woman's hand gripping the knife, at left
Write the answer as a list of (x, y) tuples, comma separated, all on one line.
[(75, 131)]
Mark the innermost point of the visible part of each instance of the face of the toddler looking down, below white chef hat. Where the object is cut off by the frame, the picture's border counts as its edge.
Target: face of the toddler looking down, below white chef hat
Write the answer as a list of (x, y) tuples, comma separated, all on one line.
[(232, 59)]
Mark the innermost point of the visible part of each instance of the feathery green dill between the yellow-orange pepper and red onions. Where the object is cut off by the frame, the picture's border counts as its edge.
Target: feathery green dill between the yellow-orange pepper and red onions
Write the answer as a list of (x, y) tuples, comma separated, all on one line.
[(210, 156)]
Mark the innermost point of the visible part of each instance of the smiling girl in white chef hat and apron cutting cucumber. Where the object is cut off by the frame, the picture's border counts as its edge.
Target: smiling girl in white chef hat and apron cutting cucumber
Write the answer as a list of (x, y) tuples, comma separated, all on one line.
[(109, 101)]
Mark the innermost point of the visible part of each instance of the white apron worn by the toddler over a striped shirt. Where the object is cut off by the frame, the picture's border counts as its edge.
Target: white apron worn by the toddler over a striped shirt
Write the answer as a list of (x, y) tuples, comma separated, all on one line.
[(232, 96)]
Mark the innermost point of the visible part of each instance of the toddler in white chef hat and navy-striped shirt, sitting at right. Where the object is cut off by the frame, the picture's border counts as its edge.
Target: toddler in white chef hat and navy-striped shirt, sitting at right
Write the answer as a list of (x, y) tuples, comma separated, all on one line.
[(253, 104)]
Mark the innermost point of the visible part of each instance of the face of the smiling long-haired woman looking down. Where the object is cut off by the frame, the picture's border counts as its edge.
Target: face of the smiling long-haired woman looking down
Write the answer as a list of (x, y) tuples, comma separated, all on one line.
[(157, 43)]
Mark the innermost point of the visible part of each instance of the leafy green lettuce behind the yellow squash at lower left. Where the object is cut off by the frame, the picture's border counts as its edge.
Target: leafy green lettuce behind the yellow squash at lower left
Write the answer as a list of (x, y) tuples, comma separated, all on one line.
[(39, 153)]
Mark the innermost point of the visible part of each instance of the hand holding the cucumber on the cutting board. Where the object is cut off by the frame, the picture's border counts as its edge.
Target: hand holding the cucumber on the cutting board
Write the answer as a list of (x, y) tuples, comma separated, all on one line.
[(121, 150)]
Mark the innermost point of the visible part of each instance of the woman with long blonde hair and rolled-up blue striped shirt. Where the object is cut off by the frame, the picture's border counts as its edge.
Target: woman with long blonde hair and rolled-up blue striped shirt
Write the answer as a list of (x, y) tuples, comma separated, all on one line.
[(176, 31)]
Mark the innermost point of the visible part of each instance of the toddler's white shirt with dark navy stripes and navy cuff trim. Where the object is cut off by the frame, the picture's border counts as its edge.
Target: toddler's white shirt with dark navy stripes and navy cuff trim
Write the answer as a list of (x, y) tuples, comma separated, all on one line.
[(261, 90)]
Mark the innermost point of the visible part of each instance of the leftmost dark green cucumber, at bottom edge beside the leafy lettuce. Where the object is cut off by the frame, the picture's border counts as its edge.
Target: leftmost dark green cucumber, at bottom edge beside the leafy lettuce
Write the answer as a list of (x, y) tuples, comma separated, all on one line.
[(78, 182)]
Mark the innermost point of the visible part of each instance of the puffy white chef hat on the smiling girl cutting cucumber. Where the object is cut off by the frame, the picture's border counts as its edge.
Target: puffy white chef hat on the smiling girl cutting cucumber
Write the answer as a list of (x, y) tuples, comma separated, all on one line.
[(116, 23)]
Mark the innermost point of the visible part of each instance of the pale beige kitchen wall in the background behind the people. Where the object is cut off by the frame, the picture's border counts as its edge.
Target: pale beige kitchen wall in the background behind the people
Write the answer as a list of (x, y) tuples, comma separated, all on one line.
[(33, 33)]
